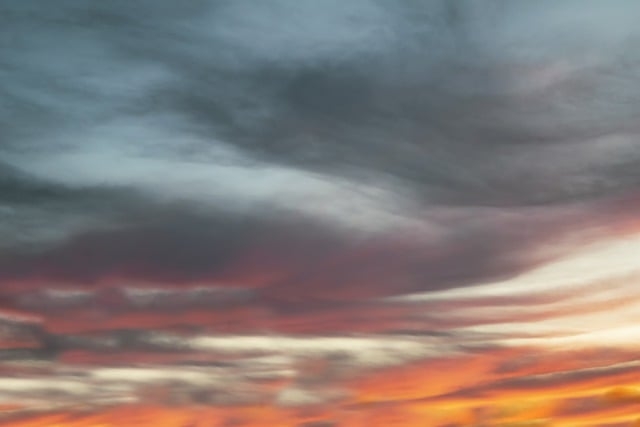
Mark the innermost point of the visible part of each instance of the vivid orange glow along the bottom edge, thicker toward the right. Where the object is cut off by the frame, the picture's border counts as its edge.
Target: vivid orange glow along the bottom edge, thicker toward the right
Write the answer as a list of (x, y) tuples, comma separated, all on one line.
[(461, 391)]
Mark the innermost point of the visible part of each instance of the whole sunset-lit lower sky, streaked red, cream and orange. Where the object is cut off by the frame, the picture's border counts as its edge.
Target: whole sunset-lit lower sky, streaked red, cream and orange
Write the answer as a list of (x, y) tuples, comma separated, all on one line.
[(458, 376)]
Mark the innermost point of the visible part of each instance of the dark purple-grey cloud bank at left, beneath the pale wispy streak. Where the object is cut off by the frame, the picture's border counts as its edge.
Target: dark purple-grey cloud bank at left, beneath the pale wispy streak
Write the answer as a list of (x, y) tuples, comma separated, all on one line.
[(166, 243)]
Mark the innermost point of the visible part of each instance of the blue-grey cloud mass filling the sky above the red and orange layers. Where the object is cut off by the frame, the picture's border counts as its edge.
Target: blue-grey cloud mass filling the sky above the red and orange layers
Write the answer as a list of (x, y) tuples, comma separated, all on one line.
[(114, 112)]
